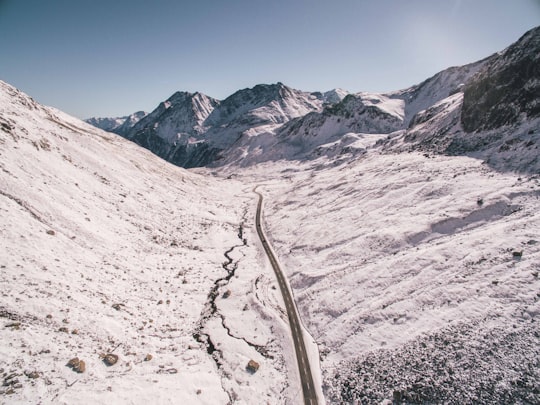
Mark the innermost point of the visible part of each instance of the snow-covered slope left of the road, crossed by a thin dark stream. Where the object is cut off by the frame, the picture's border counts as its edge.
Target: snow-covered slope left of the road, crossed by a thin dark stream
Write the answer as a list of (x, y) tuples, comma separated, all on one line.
[(107, 249)]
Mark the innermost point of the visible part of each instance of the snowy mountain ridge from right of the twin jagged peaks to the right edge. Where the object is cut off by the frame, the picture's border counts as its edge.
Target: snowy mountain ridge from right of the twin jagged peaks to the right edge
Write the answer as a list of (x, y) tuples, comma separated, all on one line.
[(496, 98)]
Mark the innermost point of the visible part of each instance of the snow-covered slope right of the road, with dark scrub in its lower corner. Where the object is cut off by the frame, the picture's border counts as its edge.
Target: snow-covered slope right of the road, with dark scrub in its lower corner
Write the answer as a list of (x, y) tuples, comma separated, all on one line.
[(417, 275)]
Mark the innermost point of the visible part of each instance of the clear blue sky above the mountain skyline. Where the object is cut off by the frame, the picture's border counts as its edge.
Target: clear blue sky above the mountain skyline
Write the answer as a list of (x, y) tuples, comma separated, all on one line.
[(114, 57)]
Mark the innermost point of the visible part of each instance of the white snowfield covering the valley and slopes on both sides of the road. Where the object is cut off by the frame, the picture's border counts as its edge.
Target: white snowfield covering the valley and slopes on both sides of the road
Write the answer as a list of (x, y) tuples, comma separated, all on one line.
[(412, 272)]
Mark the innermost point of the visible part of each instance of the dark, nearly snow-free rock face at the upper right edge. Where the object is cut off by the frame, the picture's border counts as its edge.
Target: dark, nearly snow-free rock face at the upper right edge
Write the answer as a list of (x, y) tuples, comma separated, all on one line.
[(508, 87)]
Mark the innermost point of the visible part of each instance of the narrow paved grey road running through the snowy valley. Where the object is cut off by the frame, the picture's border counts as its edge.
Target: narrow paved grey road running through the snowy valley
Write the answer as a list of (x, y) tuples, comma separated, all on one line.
[(308, 388)]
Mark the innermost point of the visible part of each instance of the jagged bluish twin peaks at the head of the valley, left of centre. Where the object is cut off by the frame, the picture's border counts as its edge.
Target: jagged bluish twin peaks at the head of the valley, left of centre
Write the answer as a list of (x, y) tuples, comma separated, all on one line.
[(194, 130)]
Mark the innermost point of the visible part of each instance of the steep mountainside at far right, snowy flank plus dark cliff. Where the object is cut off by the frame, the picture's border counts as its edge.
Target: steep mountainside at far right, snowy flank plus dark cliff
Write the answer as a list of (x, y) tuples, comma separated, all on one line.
[(495, 117)]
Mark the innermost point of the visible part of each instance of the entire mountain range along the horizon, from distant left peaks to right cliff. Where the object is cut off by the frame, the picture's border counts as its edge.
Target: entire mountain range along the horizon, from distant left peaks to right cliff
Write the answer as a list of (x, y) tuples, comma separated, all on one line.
[(452, 112)]
